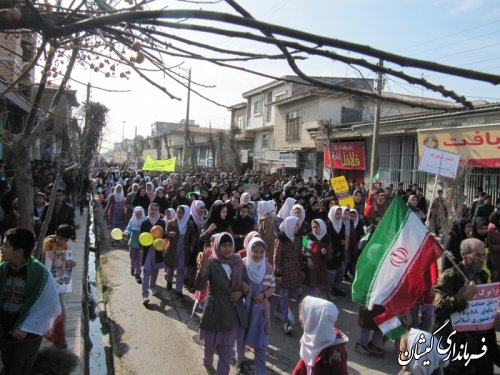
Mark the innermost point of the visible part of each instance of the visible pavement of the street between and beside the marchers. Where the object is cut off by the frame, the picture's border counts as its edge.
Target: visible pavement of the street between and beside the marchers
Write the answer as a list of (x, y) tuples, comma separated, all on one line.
[(162, 339)]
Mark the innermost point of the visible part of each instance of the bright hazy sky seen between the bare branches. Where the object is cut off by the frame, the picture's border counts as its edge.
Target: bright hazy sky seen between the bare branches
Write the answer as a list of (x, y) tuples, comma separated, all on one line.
[(464, 33)]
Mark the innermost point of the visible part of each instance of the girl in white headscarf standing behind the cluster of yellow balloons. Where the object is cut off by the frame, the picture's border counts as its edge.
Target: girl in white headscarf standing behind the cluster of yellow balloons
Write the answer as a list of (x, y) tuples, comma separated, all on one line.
[(152, 260)]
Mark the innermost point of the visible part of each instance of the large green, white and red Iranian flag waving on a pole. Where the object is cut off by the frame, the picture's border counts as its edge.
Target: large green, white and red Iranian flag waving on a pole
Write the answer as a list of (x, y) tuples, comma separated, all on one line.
[(391, 268)]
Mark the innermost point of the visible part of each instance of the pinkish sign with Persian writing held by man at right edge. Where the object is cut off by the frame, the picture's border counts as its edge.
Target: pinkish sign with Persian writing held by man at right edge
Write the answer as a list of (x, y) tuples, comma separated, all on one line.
[(481, 310)]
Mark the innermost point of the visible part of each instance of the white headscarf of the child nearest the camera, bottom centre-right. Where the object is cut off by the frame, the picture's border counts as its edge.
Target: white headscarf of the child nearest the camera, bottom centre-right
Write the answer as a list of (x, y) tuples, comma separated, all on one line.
[(319, 317)]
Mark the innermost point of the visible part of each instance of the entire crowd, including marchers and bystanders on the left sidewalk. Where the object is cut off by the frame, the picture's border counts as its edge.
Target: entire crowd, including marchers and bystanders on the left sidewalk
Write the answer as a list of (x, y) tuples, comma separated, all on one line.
[(238, 241)]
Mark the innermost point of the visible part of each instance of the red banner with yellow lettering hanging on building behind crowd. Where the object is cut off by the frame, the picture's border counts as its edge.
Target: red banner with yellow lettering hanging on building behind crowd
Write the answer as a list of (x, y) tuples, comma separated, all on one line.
[(346, 155)]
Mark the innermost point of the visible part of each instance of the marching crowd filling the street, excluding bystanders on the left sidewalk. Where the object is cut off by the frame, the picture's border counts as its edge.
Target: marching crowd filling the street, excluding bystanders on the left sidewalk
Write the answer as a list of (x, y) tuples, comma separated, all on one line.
[(238, 240)]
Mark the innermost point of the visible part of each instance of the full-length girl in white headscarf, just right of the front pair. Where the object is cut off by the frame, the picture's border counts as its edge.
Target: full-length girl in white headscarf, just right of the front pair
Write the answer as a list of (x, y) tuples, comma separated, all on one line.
[(288, 267)]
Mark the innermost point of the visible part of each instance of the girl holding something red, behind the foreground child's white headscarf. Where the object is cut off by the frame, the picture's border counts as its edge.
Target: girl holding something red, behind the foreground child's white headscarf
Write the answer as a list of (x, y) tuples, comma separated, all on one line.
[(318, 250)]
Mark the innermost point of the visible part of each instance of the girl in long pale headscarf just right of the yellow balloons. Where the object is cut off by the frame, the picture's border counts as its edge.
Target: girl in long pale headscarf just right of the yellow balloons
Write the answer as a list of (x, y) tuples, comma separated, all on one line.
[(180, 232)]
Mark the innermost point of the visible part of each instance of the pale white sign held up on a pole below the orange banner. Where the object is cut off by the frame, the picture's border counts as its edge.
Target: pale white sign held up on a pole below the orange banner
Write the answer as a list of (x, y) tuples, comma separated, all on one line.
[(439, 162)]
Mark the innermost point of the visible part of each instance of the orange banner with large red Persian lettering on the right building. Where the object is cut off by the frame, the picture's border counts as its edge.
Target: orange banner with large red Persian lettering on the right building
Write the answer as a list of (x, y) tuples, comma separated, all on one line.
[(478, 144)]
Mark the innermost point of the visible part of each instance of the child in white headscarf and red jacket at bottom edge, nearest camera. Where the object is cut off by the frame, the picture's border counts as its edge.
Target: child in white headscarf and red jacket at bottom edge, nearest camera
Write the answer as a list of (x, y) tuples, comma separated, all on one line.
[(322, 346)]
